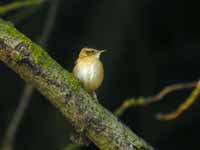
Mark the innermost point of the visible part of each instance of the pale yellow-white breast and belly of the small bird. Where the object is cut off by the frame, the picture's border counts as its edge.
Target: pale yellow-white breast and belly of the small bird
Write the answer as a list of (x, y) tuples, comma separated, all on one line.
[(90, 72)]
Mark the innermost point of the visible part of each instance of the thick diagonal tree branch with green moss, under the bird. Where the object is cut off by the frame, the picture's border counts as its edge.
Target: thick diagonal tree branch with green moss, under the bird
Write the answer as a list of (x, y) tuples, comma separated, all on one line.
[(60, 87)]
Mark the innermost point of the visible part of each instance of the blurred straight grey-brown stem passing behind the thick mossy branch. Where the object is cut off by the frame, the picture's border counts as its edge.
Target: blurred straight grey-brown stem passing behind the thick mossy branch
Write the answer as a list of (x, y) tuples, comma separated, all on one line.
[(29, 89)]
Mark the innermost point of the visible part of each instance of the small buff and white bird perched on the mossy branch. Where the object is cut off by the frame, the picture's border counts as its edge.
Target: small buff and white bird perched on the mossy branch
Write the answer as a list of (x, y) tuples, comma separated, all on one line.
[(89, 69)]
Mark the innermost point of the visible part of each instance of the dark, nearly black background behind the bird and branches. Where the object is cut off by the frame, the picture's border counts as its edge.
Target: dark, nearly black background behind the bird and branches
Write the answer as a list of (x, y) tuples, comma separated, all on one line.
[(150, 44)]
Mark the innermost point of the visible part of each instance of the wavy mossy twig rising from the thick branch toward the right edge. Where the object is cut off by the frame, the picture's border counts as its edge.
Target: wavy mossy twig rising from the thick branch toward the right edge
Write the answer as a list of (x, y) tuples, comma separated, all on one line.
[(141, 101)]
